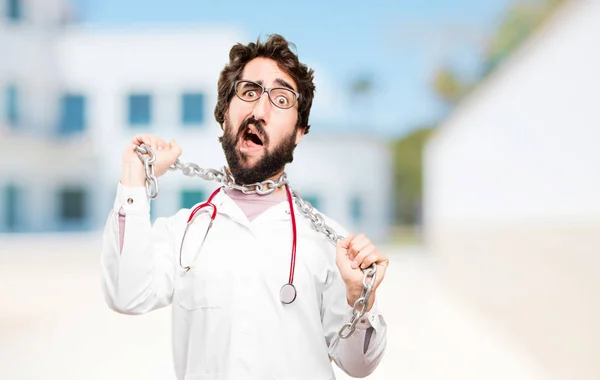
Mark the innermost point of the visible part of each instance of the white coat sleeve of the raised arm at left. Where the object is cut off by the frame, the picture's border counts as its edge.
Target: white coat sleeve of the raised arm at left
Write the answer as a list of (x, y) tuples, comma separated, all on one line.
[(137, 258)]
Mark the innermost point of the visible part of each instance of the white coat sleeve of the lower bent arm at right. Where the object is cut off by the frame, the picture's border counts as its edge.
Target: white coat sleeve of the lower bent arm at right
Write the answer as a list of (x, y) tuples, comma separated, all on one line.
[(359, 354)]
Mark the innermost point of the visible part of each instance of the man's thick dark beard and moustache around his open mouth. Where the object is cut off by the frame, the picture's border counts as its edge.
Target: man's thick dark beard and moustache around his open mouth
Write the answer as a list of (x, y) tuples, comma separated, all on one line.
[(272, 161)]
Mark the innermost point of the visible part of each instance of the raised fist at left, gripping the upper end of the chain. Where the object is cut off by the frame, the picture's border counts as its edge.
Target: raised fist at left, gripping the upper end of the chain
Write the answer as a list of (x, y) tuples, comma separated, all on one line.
[(166, 153)]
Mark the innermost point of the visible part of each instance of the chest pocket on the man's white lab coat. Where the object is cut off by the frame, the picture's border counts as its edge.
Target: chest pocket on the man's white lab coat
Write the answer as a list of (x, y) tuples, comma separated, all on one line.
[(200, 288)]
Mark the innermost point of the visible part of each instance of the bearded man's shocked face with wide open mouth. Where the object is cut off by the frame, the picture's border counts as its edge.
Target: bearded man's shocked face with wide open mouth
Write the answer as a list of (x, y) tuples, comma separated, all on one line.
[(259, 138)]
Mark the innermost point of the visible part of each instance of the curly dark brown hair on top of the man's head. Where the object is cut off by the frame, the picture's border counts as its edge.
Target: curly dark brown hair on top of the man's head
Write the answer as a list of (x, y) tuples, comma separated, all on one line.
[(278, 49)]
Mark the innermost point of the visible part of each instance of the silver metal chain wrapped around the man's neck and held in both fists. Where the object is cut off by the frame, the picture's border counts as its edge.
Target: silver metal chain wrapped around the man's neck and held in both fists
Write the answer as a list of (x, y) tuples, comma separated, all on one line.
[(264, 188)]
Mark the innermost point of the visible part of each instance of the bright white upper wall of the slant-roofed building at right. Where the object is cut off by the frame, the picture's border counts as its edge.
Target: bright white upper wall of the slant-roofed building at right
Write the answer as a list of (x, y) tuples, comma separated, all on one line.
[(528, 138)]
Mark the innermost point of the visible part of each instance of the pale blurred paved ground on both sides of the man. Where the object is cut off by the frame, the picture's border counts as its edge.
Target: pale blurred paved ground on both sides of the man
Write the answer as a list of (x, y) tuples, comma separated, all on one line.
[(54, 323)]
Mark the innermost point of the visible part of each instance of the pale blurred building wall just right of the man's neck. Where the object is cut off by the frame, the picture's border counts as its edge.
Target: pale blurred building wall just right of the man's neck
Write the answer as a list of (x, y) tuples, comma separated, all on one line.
[(338, 168)]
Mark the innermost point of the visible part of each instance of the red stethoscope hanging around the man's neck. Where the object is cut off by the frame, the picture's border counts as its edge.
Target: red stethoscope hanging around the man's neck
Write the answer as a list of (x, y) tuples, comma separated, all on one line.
[(287, 293)]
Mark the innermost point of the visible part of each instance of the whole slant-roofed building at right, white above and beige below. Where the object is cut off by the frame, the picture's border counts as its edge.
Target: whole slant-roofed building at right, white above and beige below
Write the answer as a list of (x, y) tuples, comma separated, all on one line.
[(512, 199)]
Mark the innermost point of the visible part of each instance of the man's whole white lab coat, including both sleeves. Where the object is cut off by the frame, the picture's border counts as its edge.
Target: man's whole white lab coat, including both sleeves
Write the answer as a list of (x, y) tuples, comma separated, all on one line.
[(228, 320)]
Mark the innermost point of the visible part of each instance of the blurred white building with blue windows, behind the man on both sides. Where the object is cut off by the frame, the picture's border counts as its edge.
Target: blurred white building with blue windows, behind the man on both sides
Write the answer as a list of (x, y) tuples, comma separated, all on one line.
[(72, 97)]
